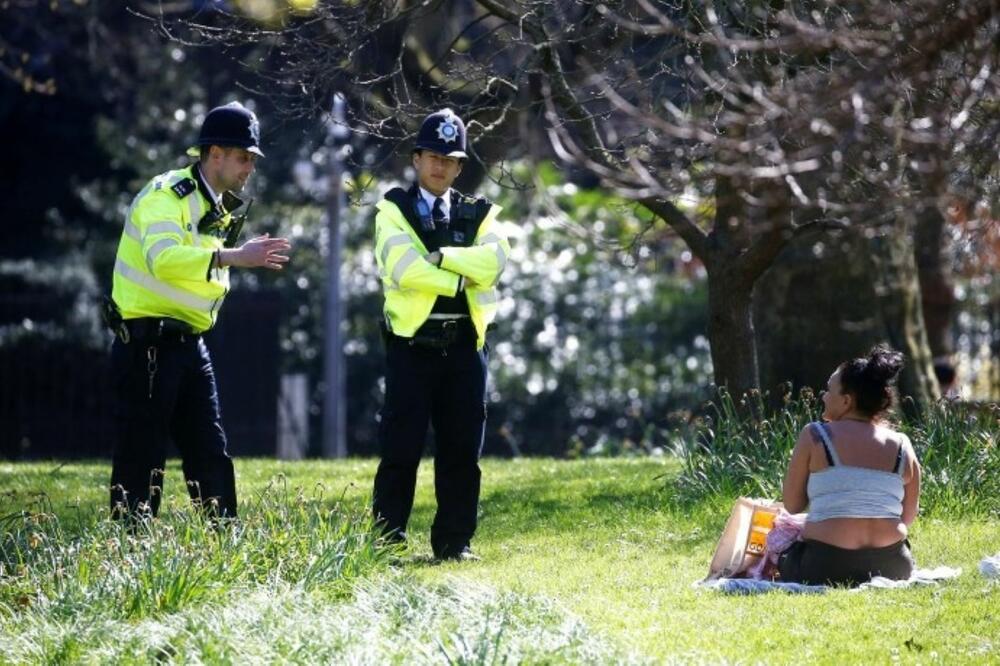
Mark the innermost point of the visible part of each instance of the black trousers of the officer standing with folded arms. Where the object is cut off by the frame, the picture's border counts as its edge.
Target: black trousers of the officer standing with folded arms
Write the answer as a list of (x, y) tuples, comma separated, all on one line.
[(447, 389)]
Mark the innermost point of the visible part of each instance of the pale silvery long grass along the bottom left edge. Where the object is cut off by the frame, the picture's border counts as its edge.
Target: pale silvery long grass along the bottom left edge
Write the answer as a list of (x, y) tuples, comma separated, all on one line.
[(393, 619)]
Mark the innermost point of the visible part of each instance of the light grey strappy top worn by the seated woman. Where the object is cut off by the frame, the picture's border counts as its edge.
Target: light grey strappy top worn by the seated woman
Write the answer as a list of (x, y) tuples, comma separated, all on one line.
[(844, 491)]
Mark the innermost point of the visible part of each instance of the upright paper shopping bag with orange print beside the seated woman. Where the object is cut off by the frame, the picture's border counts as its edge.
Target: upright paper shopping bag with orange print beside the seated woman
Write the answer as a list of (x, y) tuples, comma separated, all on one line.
[(744, 538)]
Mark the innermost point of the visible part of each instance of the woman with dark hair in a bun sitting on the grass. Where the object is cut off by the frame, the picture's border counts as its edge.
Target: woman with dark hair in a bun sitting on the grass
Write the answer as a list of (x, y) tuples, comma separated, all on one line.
[(859, 478)]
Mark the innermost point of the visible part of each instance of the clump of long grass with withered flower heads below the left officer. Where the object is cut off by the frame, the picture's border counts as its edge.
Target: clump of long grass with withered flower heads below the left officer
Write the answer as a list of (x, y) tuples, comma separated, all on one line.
[(114, 570)]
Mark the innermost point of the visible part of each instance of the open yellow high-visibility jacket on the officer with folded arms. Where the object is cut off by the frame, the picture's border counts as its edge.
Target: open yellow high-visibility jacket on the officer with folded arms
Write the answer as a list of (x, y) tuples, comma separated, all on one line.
[(411, 283)]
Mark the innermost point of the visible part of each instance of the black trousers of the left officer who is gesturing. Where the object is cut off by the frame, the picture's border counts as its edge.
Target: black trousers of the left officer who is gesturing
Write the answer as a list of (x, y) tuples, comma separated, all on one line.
[(183, 407)]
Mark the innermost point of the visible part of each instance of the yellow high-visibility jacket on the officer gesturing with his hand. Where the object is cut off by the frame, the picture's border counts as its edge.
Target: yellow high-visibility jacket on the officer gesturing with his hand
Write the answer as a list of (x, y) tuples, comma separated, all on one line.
[(162, 267)]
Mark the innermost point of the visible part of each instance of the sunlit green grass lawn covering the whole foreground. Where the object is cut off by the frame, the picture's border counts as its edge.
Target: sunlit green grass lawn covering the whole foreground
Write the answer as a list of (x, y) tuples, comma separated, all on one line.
[(584, 561)]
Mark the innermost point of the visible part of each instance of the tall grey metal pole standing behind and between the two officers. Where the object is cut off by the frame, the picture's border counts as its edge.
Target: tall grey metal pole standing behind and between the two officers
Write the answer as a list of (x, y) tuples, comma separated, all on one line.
[(334, 437)]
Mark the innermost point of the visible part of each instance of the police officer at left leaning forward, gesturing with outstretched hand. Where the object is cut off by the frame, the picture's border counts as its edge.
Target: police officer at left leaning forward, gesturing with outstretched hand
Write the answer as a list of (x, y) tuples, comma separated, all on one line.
[(171, 275)]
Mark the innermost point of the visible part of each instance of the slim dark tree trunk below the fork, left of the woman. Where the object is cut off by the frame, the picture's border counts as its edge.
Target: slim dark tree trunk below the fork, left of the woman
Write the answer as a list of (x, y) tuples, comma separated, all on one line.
[(731, 331)]
